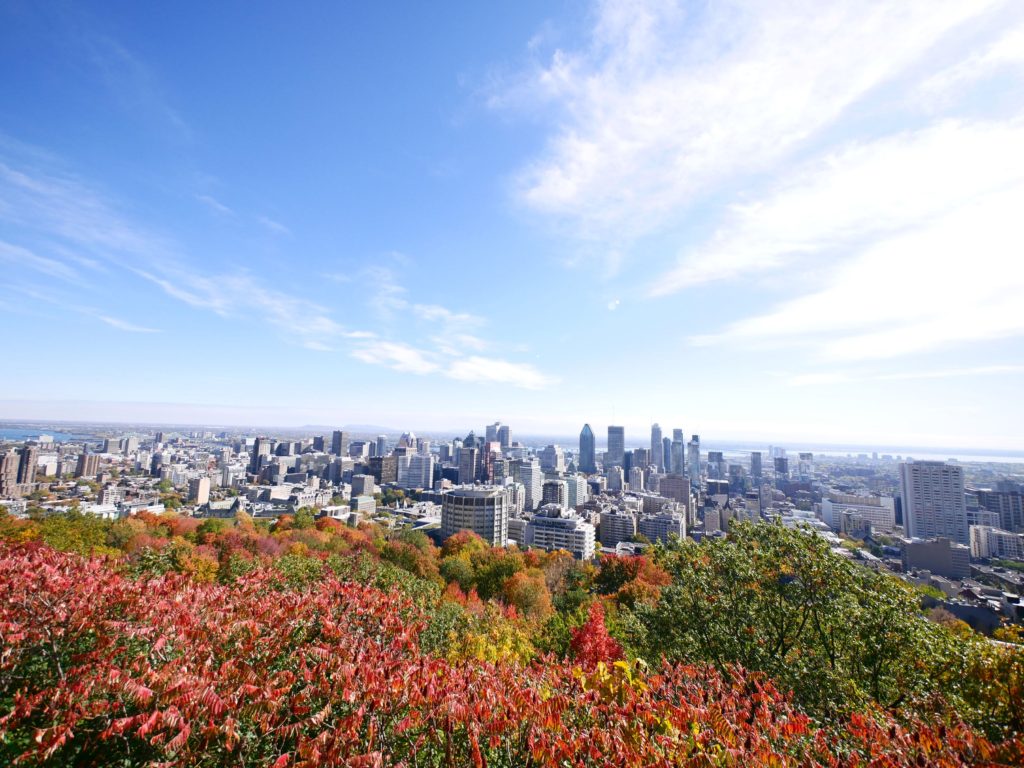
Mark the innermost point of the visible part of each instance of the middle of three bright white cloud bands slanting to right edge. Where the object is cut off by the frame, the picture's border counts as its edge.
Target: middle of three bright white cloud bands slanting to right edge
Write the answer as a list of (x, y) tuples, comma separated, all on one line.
[(859, 192)]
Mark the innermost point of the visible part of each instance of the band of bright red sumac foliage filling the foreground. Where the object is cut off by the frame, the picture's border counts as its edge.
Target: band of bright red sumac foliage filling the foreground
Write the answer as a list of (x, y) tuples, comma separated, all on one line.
[(101, 669)]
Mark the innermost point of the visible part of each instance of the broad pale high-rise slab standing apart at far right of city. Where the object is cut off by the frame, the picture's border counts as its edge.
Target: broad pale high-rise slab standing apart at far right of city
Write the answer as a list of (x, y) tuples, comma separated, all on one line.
[(933, 501)]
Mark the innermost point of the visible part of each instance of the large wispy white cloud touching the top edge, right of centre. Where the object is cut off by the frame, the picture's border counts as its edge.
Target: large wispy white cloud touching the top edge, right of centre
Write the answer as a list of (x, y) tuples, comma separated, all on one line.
[(667, 103)]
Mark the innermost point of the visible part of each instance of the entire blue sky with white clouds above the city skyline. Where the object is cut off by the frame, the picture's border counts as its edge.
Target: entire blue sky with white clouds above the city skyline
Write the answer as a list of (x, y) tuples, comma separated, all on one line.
[(770, 222)]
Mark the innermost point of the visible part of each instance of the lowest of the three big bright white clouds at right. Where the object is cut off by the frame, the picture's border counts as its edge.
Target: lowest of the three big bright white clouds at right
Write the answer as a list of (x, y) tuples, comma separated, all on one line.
[(954, 279)]
